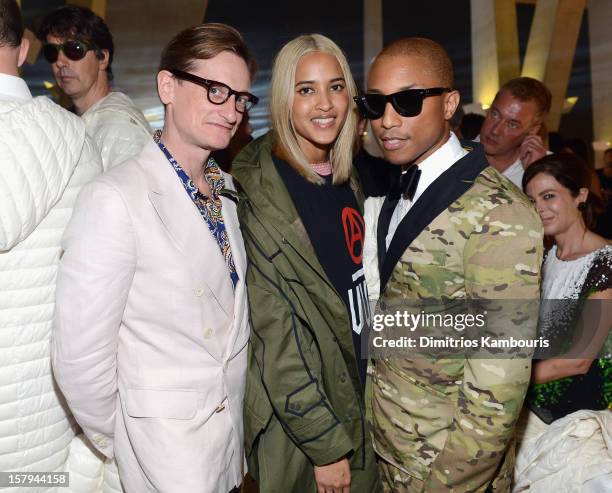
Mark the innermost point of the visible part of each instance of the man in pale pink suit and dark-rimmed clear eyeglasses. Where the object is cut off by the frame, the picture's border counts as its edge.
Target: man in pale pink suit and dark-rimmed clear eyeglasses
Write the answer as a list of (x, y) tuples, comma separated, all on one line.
[(151, 322)]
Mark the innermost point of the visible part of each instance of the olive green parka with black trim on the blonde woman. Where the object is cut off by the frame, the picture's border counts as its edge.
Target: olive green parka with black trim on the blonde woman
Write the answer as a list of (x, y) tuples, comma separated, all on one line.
[(304, 401)]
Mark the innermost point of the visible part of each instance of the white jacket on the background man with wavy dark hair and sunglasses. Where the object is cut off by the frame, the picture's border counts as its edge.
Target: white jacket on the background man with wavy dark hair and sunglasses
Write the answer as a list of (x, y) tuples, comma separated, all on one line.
[(118, 128)]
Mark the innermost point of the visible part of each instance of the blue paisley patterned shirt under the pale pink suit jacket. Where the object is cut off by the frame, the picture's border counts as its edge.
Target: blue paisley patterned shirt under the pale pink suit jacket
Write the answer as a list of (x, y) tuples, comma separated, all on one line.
[(209, 207)]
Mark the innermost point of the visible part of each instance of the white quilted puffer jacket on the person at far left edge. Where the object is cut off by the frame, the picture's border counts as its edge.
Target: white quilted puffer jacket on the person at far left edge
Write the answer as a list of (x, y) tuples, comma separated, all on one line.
[(45, 158)]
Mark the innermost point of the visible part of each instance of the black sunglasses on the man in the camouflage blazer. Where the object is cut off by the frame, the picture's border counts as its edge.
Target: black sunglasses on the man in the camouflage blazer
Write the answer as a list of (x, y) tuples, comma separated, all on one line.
[(406, 103)]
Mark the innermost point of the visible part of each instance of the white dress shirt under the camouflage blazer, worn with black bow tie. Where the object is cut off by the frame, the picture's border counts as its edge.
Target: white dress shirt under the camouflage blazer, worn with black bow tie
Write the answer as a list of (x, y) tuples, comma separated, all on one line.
[(431, 168)]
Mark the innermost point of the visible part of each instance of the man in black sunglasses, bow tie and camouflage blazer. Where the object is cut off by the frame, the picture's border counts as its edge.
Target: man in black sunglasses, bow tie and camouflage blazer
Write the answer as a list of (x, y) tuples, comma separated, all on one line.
[(452, 230)]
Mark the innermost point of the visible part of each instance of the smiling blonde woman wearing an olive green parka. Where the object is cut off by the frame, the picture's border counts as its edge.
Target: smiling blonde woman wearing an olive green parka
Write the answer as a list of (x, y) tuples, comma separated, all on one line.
[(305, 425)]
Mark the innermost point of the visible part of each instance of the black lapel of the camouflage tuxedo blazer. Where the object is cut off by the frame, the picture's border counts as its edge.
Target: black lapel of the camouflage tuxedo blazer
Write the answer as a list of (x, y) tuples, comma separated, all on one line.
[(447, 188)]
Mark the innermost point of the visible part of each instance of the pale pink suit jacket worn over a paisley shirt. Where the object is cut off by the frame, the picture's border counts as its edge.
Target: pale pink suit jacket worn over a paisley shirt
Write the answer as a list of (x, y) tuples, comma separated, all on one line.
[(150, 338)]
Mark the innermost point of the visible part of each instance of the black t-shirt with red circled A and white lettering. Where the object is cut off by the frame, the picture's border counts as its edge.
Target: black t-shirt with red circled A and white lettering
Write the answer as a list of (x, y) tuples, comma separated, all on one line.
[(335, 226)]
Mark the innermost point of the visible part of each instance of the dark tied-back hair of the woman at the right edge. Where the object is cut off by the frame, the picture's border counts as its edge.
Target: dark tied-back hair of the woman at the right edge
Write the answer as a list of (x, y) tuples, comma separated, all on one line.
[(571, 172)]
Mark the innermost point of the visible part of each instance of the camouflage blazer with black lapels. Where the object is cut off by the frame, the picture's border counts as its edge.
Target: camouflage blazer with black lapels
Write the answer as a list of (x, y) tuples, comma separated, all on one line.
[(472, 234)]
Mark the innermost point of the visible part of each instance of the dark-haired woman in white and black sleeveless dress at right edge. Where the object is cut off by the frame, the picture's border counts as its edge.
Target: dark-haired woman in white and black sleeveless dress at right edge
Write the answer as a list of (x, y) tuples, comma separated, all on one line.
[(565, 437)]
